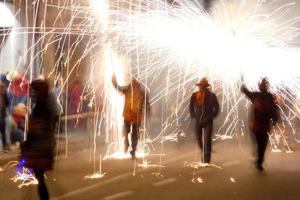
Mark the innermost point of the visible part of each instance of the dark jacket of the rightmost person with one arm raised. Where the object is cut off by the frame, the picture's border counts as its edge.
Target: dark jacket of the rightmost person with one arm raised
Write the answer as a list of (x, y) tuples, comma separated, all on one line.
[(264, 110)]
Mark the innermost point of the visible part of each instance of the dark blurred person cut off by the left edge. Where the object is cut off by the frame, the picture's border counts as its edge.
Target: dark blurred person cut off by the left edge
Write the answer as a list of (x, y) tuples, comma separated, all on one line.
[(3, 106)]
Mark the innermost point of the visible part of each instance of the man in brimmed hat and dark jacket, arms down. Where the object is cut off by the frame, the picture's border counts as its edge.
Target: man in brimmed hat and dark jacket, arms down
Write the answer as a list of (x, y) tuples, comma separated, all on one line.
[(204, 107)]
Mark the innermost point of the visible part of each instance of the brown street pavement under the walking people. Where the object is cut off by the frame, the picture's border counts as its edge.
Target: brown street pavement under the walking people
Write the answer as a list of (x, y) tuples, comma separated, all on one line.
[(232, 175)]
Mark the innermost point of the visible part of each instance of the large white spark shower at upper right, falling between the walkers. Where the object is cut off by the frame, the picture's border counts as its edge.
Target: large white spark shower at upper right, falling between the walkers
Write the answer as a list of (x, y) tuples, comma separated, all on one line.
[(239, 42)]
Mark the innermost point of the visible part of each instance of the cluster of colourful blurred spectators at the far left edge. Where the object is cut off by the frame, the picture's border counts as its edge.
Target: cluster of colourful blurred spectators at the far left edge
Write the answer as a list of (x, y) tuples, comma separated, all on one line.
[(14, 98)]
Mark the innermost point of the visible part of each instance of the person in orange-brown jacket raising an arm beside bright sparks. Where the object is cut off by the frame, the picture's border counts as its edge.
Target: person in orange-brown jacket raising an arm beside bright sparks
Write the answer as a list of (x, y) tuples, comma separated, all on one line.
[(136, 101)]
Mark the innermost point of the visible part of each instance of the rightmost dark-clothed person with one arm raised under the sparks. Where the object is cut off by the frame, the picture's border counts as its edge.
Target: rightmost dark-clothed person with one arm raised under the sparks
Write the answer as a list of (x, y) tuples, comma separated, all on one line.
[(264, 113)]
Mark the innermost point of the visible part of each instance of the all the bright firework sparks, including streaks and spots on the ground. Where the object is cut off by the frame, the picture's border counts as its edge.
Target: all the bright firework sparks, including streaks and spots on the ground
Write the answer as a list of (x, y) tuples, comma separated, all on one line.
[(169, 47)]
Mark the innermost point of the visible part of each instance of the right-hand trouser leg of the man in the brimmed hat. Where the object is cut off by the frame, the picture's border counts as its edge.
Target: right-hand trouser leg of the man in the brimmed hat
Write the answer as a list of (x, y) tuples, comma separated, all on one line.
[(207, 142)]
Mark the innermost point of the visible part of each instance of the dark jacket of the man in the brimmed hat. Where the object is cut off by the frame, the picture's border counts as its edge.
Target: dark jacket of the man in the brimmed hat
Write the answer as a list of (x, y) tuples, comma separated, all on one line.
[(206, 110)]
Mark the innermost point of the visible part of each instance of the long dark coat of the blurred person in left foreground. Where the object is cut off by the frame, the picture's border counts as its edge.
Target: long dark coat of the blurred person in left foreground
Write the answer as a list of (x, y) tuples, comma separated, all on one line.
[(38, 149)]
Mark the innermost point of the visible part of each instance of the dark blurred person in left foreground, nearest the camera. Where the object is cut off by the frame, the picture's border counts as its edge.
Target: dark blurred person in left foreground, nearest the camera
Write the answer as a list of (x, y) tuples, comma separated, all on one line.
[(38, 149)]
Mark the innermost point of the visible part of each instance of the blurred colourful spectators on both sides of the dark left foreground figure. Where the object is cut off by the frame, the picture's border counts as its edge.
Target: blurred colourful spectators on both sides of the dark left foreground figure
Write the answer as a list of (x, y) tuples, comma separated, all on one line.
[(14, 102)]
